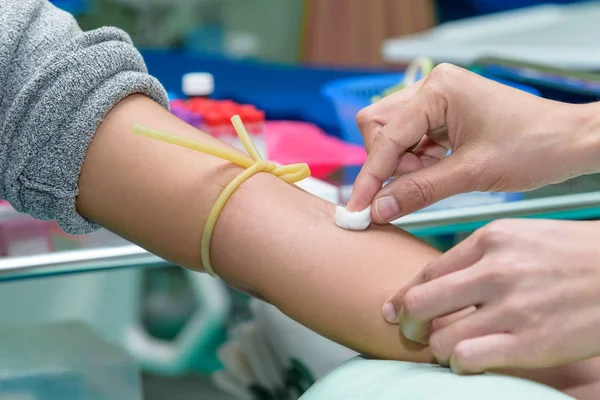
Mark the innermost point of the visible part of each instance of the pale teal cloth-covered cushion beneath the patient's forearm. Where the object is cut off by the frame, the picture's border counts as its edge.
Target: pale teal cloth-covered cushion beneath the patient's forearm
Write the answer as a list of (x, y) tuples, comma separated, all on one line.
[(393, 380)]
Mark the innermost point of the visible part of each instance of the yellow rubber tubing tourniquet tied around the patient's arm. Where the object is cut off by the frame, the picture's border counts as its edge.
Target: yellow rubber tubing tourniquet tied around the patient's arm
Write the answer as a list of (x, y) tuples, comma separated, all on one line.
[(253, 164)]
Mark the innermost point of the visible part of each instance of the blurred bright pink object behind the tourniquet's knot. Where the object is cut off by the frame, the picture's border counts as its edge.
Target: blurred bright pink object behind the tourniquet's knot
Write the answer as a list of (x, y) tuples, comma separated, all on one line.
[(291, 142)]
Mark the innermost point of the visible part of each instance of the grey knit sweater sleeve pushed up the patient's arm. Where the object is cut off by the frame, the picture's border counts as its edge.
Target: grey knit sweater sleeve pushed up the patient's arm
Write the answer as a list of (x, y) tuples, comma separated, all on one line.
[(56, 85)]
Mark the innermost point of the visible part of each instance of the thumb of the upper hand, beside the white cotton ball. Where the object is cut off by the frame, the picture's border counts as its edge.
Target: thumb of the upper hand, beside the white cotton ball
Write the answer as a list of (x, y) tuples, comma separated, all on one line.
[(421, 188)]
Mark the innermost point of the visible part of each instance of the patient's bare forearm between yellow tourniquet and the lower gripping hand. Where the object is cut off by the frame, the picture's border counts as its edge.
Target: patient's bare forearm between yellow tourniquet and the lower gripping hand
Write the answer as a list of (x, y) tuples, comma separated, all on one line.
[(331, 280)]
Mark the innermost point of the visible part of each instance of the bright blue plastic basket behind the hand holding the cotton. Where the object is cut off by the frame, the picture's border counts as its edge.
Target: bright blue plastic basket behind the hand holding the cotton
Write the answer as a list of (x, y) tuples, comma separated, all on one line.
[(351, 95)]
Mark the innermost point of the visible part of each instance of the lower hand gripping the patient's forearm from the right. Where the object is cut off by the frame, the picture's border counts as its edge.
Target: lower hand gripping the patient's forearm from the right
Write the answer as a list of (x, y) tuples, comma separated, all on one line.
[(515, 294)]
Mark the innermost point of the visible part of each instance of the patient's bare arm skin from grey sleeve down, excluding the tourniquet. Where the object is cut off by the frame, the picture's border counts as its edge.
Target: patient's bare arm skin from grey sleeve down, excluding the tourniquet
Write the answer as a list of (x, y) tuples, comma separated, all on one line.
[(272, 239)]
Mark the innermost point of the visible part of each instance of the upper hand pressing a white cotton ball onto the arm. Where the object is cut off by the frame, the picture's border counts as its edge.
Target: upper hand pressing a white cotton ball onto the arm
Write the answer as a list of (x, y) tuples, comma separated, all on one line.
[(503, 139)]
